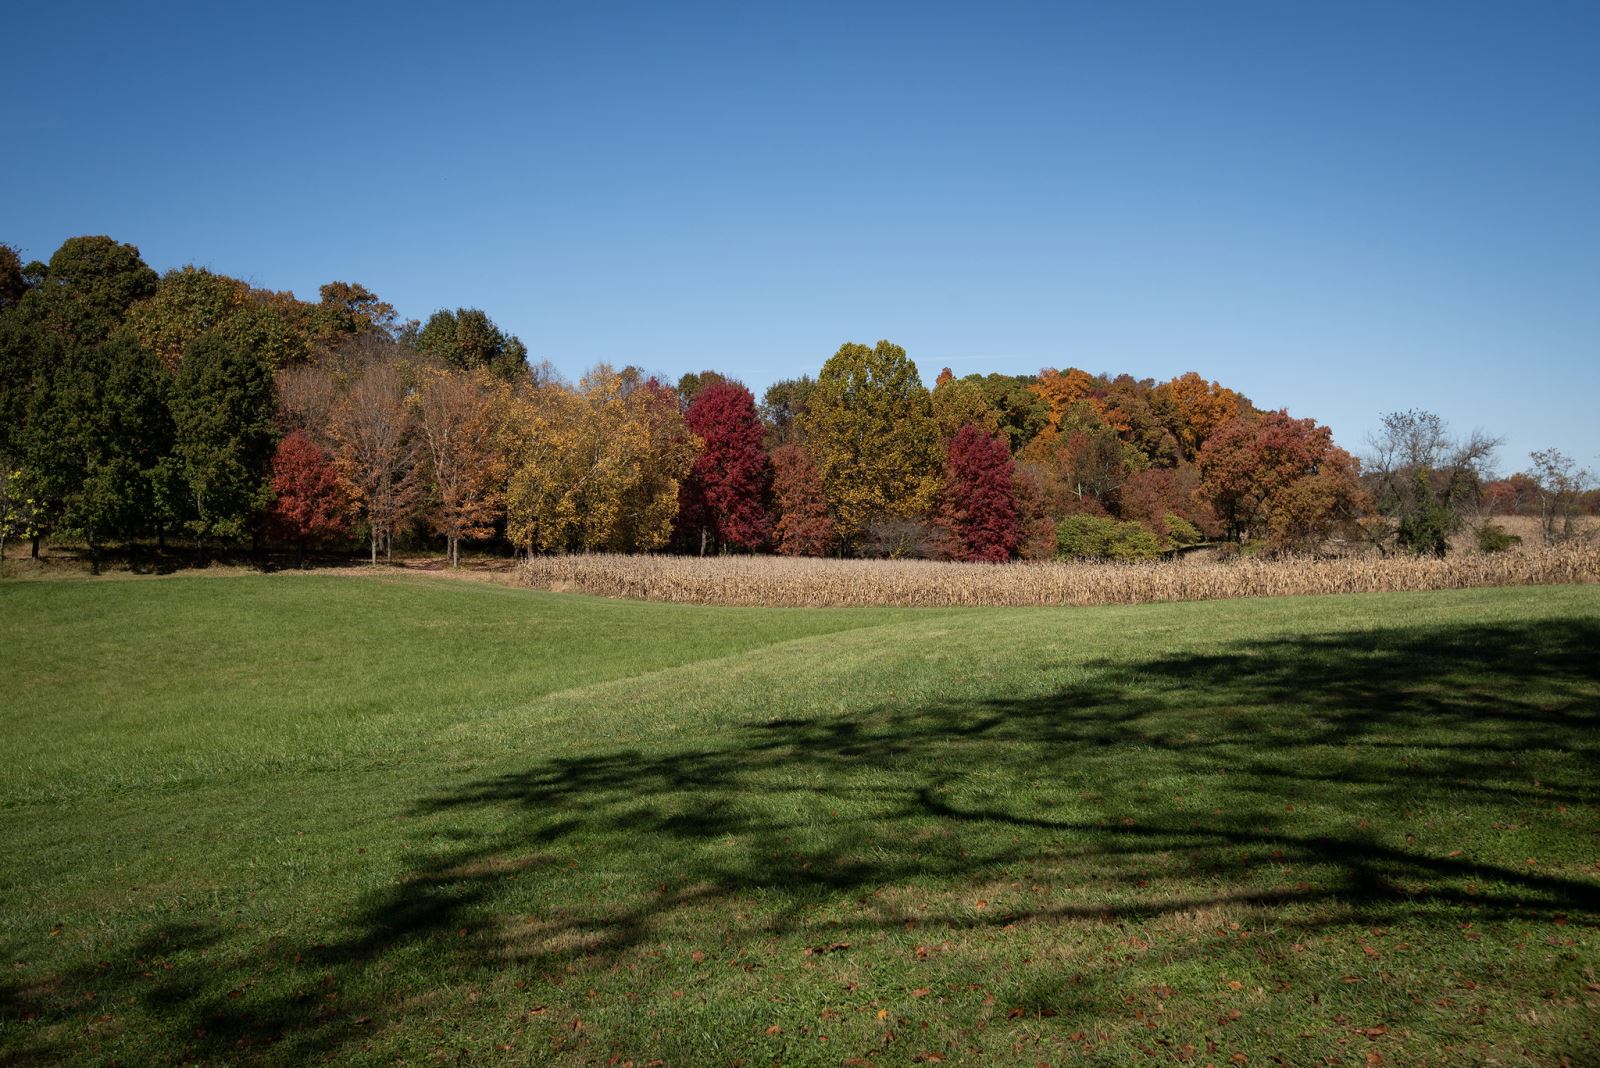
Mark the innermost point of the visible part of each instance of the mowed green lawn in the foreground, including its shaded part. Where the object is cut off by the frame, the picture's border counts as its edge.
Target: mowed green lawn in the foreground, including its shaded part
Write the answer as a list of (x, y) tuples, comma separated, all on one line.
[(337, 818)]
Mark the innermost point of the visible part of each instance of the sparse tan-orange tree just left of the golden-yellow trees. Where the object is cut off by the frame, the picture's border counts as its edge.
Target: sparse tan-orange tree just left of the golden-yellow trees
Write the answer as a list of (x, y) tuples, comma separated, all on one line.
[(458, 415)]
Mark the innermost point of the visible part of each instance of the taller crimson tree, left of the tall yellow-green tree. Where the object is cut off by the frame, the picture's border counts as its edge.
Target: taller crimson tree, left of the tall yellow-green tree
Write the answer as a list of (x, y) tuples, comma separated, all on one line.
[(726, 495)]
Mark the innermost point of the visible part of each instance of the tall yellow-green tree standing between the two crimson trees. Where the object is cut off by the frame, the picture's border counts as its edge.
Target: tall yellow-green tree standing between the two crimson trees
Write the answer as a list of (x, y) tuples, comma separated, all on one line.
[(871, 431)]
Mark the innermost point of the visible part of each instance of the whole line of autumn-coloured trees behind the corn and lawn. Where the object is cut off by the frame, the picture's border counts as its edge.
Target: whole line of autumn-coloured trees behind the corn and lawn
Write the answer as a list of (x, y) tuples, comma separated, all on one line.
[(142, 407)]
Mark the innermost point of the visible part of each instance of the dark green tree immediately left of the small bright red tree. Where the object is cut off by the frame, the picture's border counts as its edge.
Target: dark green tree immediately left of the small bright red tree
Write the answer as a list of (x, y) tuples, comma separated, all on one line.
[(223, 437)]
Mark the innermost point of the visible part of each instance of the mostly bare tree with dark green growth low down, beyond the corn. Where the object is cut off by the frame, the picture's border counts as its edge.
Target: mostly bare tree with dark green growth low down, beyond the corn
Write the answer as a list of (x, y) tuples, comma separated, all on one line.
[(1425, 480)]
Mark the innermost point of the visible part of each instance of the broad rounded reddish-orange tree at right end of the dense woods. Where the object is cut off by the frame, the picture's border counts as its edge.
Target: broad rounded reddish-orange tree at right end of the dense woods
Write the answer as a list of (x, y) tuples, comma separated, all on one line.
[(1279, 479)]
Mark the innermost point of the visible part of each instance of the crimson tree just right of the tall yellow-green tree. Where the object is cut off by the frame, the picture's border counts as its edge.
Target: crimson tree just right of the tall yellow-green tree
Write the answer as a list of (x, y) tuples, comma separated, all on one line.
[(978, 504)]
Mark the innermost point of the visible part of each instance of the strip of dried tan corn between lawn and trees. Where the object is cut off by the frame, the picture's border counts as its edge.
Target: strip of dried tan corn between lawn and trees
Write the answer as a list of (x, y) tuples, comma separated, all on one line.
[(780, 581)]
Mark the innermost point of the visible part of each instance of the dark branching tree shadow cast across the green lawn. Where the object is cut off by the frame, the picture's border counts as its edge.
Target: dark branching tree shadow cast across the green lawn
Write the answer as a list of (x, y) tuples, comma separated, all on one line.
[(1297, 776)]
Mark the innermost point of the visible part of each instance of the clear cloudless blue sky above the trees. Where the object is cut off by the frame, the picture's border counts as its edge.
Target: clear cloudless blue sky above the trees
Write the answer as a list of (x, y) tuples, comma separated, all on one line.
[(1337, 209)]
